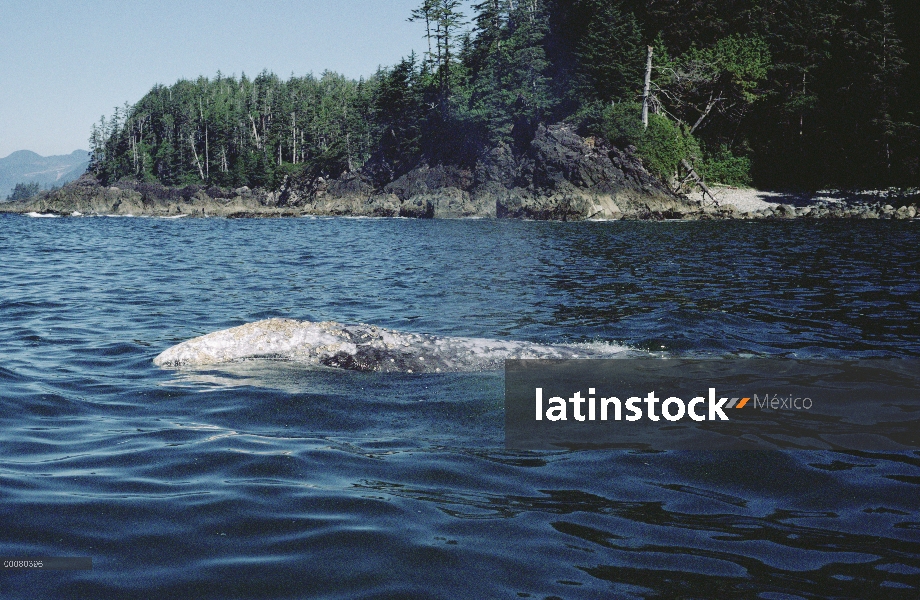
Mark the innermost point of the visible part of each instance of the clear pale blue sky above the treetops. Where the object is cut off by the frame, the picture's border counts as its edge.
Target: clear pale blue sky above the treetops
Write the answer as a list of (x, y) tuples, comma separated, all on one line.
[(64, 63)]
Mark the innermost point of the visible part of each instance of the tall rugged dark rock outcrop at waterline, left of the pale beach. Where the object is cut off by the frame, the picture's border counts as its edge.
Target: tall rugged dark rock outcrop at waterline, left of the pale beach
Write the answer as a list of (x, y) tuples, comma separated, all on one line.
[(560, 176)]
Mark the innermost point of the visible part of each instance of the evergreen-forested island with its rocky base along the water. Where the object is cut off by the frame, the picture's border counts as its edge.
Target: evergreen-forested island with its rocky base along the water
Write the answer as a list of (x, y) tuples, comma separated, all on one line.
[(539, 108)]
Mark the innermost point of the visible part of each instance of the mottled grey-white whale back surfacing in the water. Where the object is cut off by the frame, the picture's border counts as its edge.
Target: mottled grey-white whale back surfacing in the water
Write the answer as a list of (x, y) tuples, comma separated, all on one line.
[(362, 348)]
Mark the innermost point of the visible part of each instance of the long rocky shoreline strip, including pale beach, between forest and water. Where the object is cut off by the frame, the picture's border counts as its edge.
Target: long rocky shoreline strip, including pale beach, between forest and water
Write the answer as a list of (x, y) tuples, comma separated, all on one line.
[(558, 176)]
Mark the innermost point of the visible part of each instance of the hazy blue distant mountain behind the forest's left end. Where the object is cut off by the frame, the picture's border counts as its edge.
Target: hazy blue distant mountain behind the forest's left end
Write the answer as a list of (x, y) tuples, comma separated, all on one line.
[(24, 166)]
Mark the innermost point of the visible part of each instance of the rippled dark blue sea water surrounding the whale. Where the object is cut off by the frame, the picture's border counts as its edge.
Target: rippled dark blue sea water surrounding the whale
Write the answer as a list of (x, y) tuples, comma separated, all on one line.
[(268, 480)]
